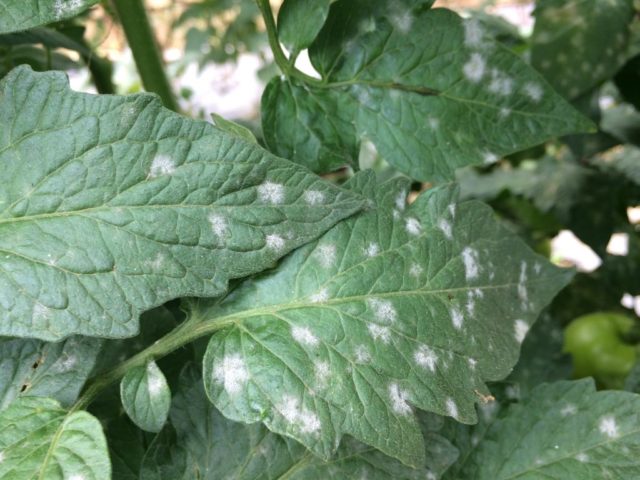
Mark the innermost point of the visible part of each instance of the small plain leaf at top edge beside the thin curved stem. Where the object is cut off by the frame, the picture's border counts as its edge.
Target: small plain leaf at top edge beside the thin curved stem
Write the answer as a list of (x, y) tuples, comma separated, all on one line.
[(299, 21)]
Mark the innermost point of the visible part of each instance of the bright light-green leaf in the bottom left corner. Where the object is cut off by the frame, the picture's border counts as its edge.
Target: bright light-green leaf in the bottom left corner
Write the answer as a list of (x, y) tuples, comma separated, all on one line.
[(40, 440)]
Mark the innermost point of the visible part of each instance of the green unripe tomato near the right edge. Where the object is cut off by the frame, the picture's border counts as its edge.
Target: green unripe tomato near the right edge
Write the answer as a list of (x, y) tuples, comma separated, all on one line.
[(596, 343)]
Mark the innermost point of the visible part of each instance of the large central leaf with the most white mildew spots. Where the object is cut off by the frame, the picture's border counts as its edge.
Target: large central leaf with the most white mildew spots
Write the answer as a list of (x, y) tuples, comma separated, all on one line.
[(396, 308)]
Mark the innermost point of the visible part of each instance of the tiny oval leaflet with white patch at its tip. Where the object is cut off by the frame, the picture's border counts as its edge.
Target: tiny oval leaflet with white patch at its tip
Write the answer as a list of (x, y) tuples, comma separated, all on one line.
[(146, 397)]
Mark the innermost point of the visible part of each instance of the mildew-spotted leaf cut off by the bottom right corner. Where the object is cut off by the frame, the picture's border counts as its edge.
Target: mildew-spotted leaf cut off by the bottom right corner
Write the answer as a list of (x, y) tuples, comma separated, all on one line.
[(563, 430)]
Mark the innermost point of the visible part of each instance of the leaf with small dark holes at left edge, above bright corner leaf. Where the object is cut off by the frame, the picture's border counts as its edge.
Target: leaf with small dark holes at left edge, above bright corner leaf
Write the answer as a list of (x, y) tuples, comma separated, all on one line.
[(41, 369)]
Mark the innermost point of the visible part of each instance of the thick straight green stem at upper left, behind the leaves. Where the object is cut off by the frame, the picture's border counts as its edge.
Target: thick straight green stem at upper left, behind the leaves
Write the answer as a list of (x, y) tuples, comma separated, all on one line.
[(137, 29)]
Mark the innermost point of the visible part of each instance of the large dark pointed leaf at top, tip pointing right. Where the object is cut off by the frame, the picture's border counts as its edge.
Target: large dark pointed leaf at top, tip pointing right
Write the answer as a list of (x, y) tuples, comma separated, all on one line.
[(432, 92)]
